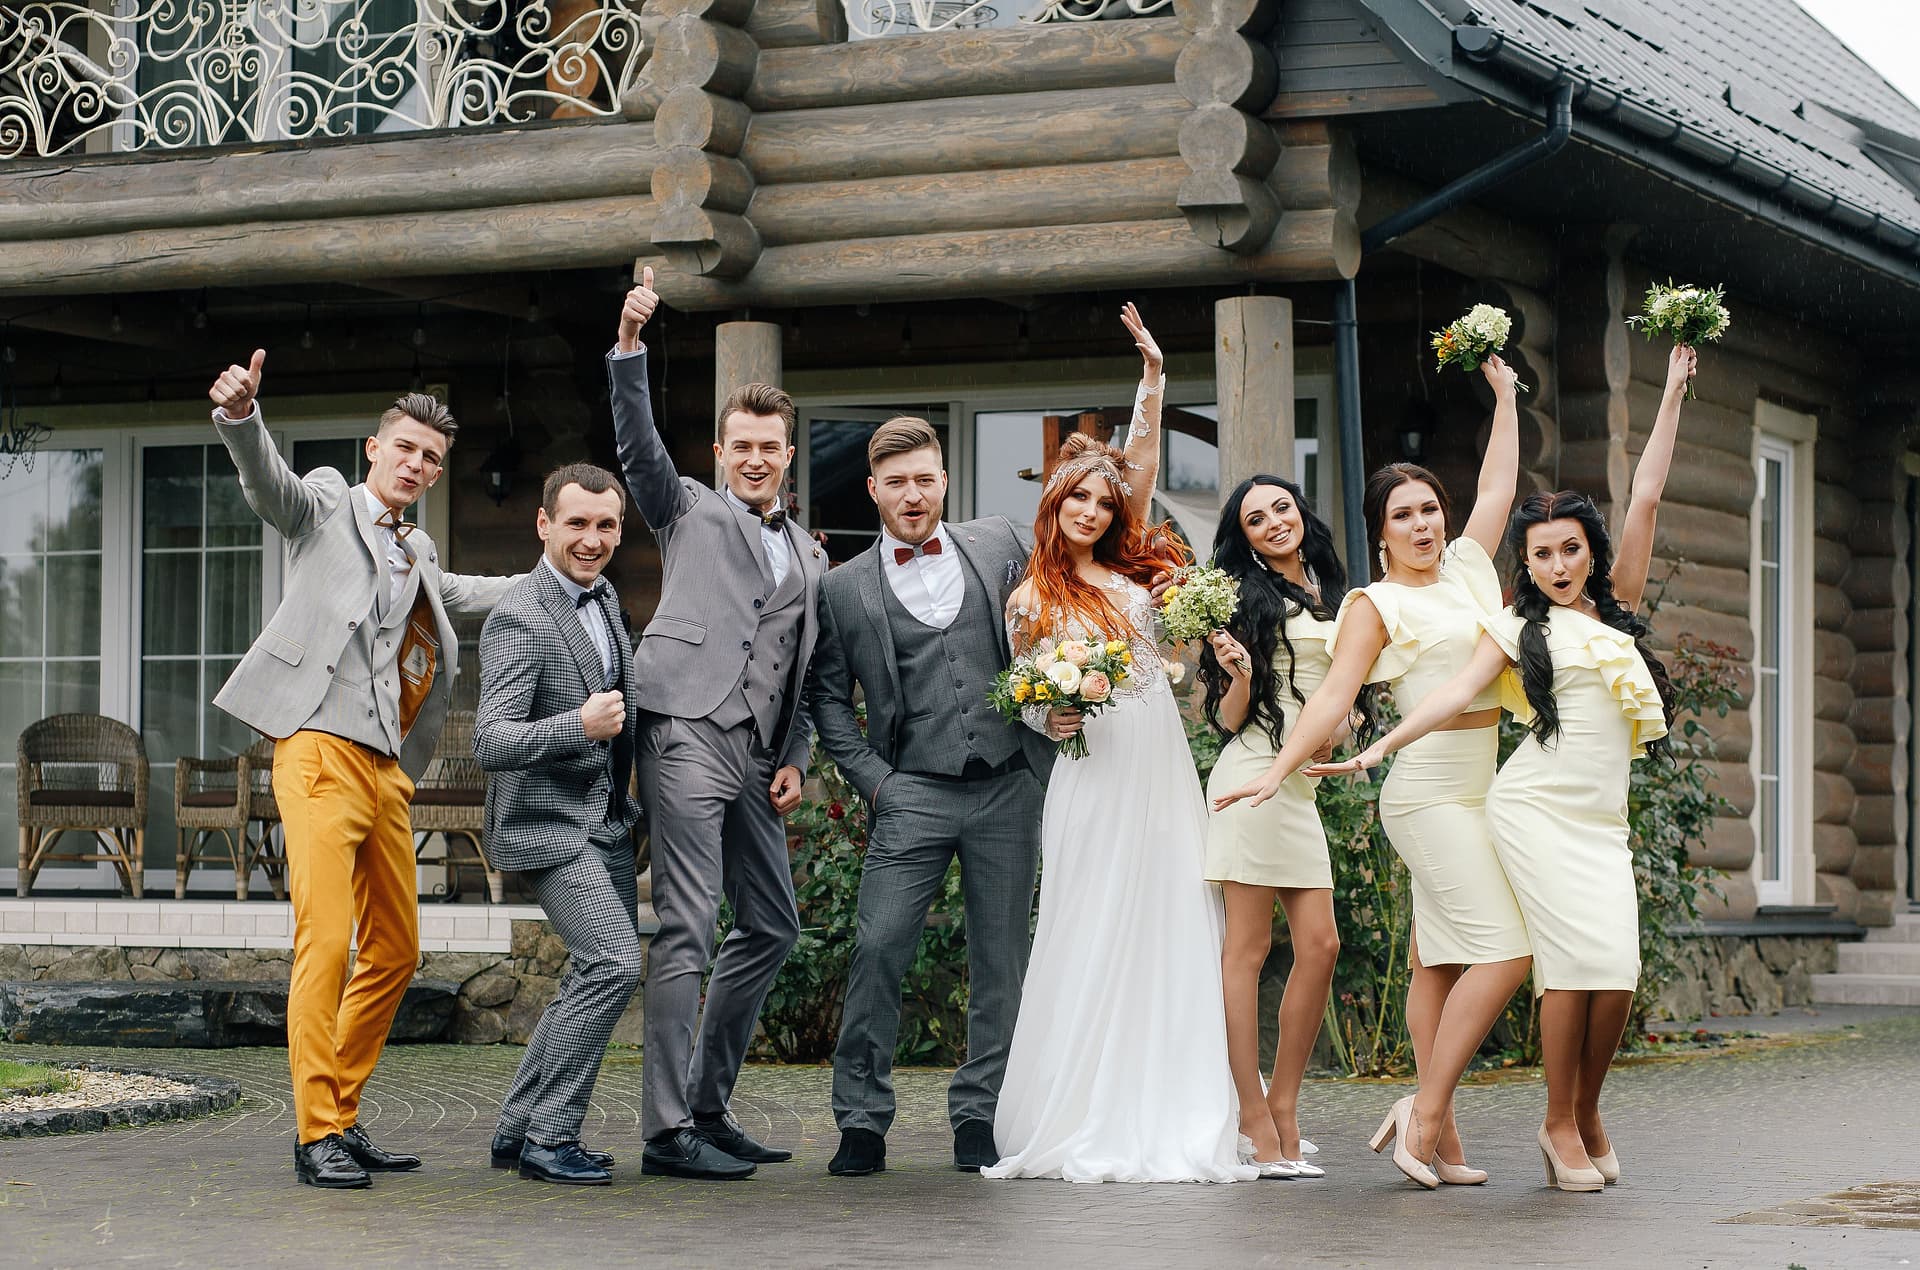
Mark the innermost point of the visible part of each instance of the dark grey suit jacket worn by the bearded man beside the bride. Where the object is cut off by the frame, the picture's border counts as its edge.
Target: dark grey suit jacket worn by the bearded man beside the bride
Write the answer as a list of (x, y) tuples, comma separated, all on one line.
[(857, 648)]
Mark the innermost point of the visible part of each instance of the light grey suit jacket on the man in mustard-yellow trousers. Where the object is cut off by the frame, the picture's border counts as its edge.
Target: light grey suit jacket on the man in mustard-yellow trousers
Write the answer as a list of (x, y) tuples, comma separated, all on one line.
[(337, 564)]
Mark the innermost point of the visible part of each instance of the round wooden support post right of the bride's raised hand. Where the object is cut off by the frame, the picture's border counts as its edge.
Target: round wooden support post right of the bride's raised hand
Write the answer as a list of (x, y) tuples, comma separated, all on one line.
[(1255, 379)]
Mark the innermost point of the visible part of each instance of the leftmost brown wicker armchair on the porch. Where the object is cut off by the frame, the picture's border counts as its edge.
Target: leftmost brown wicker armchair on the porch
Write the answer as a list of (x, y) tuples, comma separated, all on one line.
[(87, 775)]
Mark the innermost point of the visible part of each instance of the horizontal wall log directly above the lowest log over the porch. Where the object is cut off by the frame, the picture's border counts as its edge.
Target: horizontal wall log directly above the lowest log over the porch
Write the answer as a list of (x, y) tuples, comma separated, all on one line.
[(1022, 197)]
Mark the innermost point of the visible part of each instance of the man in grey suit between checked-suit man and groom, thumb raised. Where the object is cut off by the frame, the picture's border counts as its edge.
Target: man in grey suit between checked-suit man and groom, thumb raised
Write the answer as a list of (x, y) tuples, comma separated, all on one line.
[(723, 748)]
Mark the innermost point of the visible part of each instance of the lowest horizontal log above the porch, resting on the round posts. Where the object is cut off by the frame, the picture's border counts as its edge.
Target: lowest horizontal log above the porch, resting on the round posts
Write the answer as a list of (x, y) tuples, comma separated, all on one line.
[(1020, 262)]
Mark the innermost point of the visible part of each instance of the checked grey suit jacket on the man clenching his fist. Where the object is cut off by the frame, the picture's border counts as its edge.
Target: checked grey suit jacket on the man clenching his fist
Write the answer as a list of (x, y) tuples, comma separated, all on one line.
[(550, 783)]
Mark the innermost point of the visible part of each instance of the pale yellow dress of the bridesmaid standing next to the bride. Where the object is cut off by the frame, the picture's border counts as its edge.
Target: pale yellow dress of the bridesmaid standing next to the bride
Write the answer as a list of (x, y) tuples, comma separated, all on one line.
[(1282, 843)]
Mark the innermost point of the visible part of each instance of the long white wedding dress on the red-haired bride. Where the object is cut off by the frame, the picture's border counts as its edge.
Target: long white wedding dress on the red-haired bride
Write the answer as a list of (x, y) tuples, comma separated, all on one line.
[(1118, 1069)]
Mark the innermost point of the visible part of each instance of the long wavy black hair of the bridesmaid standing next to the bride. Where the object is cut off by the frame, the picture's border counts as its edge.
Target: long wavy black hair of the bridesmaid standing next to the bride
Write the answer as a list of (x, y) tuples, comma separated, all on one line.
[(1260, 622)]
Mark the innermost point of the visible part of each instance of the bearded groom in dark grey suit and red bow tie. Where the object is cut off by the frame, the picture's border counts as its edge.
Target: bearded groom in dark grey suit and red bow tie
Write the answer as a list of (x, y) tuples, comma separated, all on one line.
[(917, 623)]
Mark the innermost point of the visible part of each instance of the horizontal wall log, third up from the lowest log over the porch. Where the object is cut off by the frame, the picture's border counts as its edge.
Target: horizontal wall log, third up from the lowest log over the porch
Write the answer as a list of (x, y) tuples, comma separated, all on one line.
[(1026, 130)]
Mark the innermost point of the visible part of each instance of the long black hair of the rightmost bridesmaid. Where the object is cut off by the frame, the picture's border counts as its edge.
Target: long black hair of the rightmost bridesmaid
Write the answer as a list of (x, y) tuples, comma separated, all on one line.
[(1533, 604)]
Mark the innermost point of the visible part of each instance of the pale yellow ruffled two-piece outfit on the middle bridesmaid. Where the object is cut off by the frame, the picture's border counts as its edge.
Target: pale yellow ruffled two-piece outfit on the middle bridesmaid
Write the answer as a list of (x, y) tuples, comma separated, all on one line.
[(1433, 804)]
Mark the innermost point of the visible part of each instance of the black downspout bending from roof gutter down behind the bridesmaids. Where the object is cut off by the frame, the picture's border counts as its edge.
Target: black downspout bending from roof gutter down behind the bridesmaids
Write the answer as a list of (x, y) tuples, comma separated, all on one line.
[(1345, 305)]
